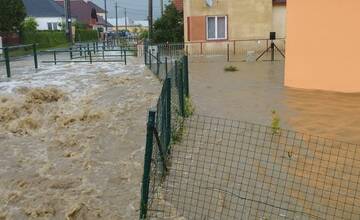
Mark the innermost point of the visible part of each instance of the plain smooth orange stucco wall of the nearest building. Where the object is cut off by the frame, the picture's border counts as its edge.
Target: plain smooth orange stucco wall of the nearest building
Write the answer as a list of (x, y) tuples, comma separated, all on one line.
[(323, 45)]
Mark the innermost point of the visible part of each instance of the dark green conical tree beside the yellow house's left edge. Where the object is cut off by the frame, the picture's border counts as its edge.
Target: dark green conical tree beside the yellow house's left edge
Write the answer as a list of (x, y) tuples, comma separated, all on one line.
[(169, 27)]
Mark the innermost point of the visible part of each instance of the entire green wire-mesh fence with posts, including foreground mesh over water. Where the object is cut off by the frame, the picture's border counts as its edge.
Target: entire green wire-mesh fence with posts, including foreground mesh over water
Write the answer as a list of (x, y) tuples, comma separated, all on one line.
[(202, 167)]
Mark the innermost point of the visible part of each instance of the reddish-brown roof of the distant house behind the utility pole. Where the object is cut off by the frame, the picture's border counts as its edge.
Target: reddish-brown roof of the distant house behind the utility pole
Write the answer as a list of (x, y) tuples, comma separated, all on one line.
[(81, 10)]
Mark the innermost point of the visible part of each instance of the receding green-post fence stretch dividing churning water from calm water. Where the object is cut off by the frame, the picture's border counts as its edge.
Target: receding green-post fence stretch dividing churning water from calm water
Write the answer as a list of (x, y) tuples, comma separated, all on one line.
[(165, 124)]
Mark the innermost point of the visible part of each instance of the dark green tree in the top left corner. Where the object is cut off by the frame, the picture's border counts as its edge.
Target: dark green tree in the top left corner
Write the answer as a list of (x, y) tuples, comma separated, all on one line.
[(12, 14)]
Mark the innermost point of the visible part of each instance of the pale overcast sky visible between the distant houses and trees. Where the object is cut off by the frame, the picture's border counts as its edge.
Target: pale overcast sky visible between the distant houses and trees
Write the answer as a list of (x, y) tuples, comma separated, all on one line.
[(136, 9)]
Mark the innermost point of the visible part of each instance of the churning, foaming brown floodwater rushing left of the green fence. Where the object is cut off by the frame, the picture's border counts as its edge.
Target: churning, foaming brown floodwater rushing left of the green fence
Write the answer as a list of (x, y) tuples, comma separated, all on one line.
[(72, 140)]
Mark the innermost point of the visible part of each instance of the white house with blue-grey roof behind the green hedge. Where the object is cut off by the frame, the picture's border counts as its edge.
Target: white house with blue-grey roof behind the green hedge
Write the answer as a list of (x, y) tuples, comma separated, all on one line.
[(48, 15)]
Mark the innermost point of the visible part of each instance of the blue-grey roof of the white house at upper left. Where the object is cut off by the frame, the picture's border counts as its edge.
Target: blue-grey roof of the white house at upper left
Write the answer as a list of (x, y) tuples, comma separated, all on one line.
[(43, 8)]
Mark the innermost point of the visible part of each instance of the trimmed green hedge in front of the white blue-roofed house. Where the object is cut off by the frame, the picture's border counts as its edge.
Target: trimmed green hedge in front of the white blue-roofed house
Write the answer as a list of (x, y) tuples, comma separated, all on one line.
[(45, 39)]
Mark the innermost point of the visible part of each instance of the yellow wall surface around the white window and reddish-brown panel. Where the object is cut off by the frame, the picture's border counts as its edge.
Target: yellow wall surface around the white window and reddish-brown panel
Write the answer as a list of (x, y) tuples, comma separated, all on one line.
[(246, 18)]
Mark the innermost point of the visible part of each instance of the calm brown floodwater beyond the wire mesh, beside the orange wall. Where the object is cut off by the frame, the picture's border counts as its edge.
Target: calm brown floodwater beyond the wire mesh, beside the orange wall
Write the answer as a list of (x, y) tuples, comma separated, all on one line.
[(253, 92)]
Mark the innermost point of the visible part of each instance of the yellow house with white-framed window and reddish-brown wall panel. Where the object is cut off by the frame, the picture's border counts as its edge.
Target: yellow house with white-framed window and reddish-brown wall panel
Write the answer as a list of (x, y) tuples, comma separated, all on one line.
[(226, 20)]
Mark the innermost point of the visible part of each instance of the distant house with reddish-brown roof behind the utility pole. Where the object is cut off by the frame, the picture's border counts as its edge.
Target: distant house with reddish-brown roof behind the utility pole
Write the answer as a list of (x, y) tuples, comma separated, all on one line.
[(81, 10)]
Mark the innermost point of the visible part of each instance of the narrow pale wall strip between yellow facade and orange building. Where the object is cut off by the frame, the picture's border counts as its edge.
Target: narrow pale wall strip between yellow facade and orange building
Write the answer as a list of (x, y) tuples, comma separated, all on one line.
[(279, 21)]
